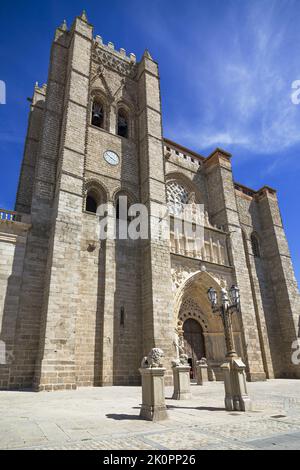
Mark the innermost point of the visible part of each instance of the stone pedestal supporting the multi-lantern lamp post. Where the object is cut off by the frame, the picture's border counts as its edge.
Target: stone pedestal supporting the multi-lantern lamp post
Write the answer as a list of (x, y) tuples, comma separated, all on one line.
[(236, 396)]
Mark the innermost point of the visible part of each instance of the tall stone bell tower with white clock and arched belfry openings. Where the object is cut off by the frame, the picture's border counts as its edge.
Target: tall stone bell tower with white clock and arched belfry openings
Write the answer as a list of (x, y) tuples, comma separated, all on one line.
[(95, 133)]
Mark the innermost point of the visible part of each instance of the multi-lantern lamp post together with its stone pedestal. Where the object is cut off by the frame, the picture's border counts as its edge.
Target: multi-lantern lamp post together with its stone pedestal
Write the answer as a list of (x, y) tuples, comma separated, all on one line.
[(236, 396)]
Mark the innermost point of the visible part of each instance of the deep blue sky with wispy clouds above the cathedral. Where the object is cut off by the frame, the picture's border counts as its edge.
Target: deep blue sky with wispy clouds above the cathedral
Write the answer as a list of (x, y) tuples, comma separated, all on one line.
[(226, 72)]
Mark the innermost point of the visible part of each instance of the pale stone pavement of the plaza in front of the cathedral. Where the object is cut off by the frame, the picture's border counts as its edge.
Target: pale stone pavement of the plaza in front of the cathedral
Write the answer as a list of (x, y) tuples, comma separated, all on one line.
[(108, 418)]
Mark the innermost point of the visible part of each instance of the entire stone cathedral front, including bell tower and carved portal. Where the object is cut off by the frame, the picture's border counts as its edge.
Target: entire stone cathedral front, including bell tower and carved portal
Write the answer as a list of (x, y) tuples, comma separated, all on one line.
[(80, 311)]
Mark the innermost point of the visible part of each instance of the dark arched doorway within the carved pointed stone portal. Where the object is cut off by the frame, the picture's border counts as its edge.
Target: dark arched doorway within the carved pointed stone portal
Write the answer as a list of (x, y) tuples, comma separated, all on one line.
[(194, 343)]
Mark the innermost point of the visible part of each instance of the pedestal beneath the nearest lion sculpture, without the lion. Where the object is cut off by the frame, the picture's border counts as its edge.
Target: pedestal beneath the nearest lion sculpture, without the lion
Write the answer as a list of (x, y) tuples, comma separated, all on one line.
[(153, 394)]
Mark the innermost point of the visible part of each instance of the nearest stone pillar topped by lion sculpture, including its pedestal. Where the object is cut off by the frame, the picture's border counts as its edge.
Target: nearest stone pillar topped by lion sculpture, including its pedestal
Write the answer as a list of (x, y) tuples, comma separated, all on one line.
[(153, 389)]
